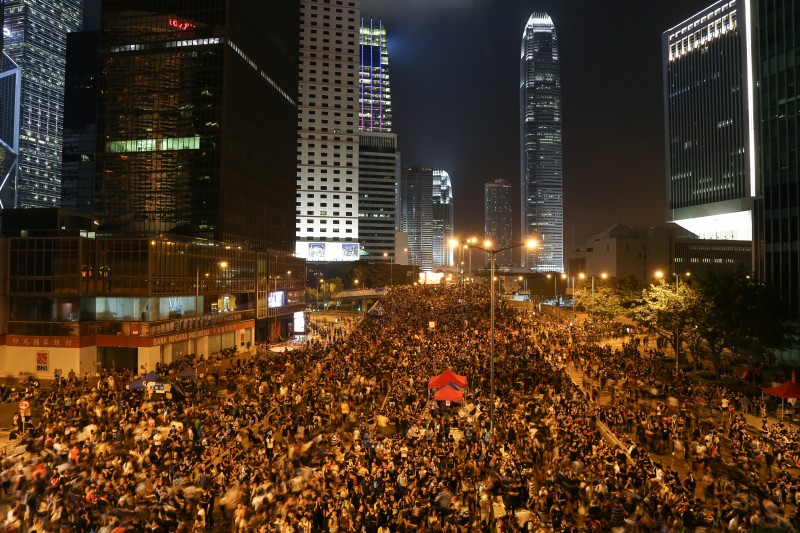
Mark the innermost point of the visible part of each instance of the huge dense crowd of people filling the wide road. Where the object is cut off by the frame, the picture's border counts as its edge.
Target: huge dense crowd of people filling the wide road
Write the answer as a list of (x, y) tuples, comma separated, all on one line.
[(341, 434)]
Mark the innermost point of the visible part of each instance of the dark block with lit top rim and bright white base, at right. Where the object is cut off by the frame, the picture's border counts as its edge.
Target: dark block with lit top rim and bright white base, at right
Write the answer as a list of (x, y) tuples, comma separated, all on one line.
[(710, 121)]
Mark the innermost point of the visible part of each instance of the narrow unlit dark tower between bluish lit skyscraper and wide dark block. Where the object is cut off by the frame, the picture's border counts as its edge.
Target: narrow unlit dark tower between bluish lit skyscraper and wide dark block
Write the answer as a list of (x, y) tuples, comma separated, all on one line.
[(80, 122)]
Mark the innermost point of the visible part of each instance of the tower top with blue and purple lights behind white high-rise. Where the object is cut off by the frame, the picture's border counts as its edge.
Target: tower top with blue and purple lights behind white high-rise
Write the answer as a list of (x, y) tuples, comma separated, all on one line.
[(375, 113)]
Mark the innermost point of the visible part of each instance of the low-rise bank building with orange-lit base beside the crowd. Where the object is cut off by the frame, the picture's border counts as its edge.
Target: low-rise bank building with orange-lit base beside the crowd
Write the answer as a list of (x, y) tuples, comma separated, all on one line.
[(82, 302)]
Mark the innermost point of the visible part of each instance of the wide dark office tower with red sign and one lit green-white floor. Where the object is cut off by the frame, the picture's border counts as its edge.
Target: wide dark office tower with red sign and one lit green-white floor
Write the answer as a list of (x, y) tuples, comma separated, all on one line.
[(197, 119)]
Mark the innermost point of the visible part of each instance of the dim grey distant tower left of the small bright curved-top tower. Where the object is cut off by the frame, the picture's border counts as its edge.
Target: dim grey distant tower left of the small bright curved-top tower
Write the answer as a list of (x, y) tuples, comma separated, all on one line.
[(416, 214)]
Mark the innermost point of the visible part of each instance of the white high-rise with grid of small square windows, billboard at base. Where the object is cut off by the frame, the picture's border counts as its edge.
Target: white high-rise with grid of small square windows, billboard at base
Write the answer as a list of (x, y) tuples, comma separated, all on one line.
[(327, 210)]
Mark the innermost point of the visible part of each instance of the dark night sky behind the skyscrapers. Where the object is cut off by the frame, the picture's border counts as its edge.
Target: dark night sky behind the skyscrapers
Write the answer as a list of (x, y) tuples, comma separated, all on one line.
[(455, 81)]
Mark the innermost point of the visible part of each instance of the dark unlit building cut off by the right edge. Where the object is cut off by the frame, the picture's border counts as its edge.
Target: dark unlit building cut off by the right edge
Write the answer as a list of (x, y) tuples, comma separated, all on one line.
[(778, 43)]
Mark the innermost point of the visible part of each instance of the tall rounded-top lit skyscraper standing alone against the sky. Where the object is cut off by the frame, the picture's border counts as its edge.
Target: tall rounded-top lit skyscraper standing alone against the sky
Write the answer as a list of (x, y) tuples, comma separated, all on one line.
[(541, 191)]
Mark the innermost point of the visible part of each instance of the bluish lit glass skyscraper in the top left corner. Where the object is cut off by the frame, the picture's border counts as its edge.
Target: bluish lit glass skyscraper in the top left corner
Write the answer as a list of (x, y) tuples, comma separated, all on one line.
[(35, 34)]
